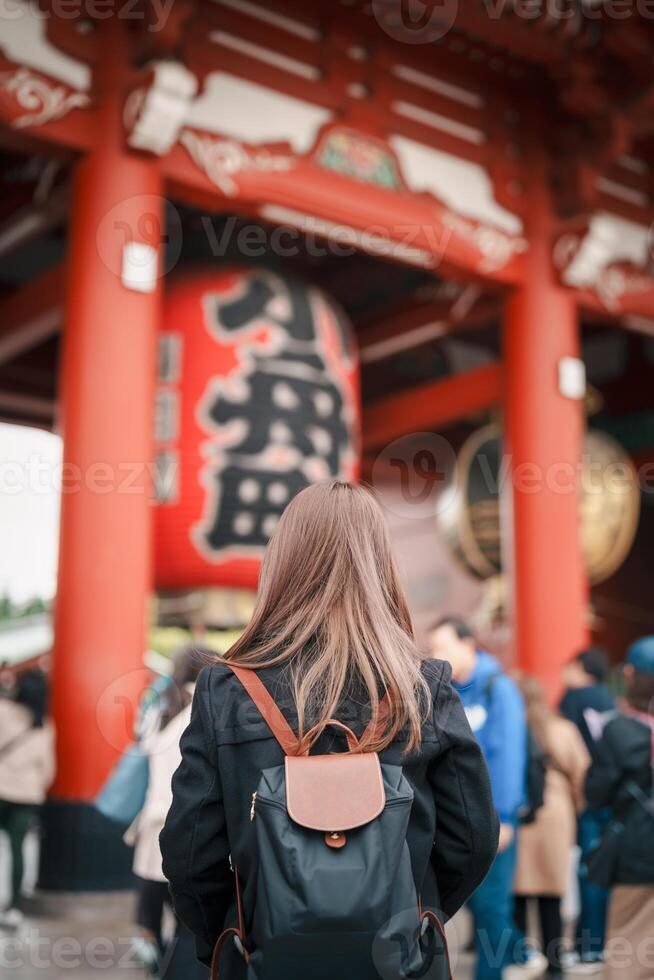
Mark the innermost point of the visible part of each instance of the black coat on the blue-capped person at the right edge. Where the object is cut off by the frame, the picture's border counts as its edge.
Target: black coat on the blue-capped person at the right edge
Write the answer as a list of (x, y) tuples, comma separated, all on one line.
[(623, 757)]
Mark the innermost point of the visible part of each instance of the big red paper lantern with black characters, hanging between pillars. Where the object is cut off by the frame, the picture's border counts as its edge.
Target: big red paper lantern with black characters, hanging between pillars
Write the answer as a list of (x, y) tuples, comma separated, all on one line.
[(258, 396)]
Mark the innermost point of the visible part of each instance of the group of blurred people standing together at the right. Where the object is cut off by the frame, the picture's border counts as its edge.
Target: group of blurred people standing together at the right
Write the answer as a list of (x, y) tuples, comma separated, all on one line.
[(574, 791)]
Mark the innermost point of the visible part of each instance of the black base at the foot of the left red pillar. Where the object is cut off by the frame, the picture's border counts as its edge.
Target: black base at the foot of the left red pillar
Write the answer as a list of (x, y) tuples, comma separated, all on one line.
[(82, 851)]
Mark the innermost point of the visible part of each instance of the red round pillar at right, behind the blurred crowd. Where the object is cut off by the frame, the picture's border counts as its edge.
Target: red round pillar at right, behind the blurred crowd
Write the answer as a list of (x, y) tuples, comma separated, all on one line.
[(544, 432)]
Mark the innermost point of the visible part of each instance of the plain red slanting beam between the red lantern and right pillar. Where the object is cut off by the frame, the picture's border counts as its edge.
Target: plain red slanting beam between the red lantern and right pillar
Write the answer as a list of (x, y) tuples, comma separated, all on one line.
[(430, 406)]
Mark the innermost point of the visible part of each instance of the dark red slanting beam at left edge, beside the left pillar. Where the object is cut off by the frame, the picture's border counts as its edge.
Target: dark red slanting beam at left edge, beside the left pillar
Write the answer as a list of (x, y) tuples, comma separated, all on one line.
[(31, 314)]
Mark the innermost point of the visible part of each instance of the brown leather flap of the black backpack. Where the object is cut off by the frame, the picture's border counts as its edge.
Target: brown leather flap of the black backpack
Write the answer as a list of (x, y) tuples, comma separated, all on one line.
[(334, 792)]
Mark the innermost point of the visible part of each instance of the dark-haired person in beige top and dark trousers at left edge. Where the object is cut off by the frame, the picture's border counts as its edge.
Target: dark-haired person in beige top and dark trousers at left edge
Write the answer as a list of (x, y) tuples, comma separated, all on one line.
[(27, 767)]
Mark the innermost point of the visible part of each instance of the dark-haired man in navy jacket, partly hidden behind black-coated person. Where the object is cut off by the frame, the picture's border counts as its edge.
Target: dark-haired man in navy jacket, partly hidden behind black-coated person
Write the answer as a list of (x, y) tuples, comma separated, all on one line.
[(587, 698)]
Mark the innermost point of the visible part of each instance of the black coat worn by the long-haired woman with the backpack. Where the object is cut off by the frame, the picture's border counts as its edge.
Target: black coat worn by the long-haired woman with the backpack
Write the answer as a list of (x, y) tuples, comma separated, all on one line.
[(453, 829)]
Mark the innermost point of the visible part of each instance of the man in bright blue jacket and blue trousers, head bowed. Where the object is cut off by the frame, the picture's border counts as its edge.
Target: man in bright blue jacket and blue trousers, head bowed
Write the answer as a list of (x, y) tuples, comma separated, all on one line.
[(496, 713)]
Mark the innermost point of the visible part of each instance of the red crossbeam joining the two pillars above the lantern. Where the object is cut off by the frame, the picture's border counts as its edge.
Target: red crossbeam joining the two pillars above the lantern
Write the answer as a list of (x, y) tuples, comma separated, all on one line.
[(413, 229)]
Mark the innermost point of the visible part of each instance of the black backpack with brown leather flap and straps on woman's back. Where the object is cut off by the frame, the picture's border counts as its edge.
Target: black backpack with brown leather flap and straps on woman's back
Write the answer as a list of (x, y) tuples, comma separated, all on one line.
[(335, 893)]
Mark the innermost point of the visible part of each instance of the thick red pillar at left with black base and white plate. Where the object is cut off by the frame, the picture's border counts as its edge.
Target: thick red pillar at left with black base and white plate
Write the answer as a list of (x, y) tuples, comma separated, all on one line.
[(107, 385)]
